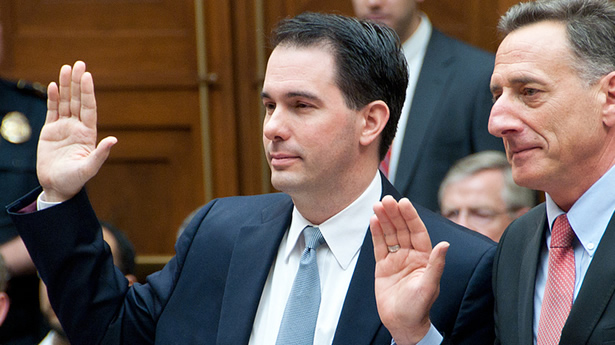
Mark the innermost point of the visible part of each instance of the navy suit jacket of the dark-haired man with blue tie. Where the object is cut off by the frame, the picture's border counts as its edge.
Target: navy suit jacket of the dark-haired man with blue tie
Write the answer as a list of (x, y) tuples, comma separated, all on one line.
[(210, 291)]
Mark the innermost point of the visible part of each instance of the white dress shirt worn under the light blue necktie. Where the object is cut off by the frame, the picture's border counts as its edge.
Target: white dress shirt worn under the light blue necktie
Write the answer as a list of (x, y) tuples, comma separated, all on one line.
[(344, 234)]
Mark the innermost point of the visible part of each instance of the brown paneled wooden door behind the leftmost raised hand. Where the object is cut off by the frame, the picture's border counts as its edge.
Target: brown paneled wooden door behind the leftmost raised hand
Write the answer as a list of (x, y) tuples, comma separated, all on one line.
[(143, 57)]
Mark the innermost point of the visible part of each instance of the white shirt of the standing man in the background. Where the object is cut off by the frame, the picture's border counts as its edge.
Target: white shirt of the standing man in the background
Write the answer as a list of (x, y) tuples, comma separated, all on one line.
[(414, 49)]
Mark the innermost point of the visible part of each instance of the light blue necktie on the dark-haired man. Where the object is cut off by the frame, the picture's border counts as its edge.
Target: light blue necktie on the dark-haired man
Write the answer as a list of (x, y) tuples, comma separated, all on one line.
[(299, 320)]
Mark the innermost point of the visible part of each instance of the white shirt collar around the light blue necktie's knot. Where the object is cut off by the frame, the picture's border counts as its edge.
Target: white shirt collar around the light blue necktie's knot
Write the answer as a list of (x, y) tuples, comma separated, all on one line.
[(344, 232)]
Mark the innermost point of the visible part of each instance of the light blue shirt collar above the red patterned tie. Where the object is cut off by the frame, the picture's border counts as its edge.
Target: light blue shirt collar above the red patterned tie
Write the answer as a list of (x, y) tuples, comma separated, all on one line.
[(590, 215)]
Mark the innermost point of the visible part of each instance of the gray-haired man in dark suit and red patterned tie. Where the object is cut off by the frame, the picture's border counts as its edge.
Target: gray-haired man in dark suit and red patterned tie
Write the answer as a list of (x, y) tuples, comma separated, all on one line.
[(554, 86)]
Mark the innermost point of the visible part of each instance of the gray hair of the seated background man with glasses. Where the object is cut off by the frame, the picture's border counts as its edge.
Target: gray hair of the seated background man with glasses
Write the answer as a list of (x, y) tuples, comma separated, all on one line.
[(514, 196)]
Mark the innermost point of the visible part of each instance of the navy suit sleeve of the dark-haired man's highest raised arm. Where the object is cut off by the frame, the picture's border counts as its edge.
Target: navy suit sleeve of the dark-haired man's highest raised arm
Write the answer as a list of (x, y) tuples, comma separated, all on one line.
[(89, 294)]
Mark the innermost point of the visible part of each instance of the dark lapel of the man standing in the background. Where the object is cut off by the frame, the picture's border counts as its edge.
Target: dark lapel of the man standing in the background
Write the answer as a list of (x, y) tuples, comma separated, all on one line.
[(430, 86)]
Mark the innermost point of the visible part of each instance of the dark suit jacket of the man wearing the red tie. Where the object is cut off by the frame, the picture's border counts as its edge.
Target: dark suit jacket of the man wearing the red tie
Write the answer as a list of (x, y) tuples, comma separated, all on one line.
[(592, 318)]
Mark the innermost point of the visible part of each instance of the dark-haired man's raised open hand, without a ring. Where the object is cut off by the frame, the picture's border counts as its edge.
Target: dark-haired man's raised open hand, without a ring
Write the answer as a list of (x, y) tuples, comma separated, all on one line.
[(67, 153)]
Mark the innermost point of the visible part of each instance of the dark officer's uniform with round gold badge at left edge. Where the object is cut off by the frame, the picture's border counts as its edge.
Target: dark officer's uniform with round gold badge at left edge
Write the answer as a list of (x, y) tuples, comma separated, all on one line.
[(22, 115)]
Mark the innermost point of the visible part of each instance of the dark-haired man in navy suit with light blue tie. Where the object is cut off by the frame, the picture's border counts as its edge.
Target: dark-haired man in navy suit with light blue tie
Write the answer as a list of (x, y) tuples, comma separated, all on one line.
[(333, 92)]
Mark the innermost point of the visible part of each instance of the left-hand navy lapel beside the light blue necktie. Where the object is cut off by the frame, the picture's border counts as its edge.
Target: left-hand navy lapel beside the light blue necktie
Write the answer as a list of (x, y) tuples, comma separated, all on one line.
[(255, 250)]
